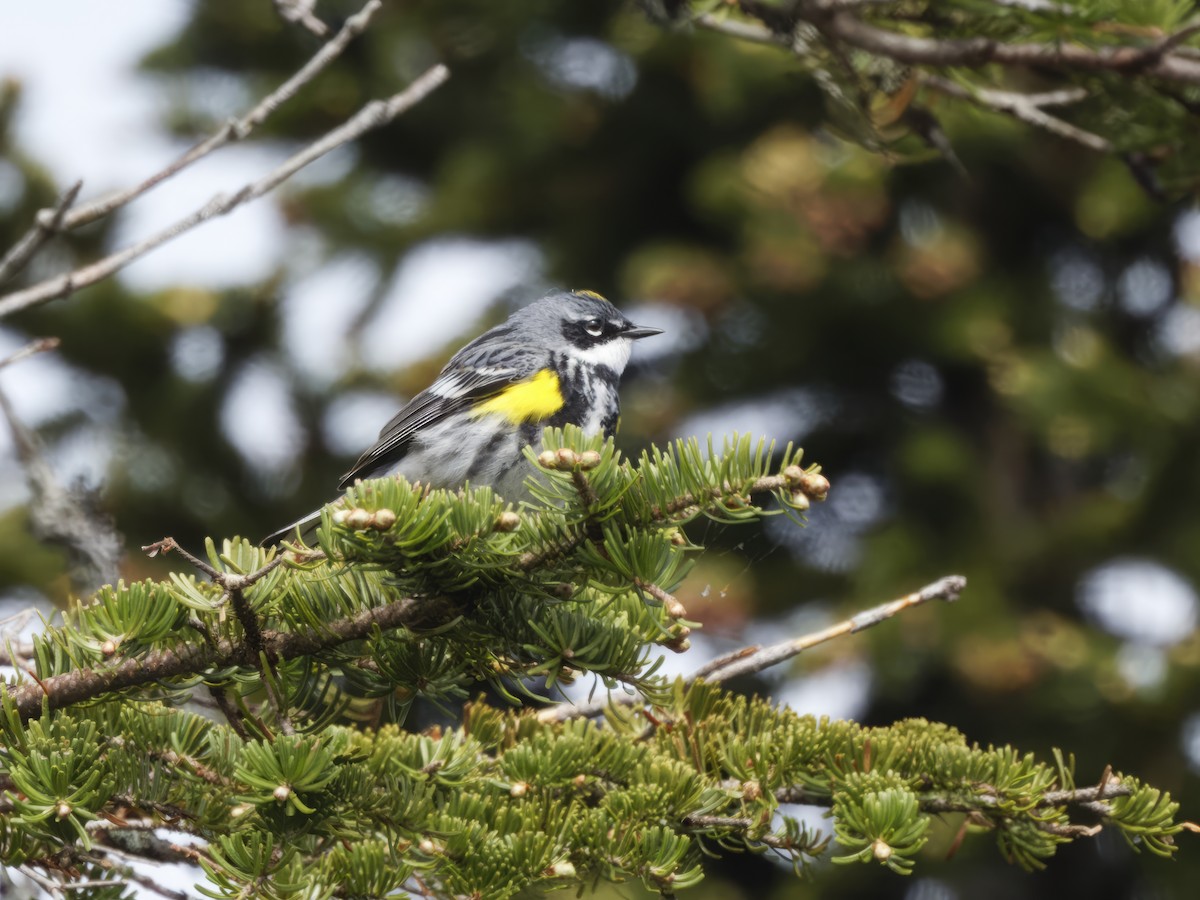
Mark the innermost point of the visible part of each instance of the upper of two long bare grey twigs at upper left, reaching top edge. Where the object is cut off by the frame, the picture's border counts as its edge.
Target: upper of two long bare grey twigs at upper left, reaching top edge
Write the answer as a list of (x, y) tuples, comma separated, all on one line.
[(236, 129)]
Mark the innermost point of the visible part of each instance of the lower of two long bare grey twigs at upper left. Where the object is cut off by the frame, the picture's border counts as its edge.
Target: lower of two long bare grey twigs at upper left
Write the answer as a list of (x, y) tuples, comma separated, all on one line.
[(374, 116)]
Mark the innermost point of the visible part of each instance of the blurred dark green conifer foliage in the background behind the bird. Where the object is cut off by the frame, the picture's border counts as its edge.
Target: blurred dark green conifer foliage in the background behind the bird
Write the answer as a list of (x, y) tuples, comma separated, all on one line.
[(1000, 375)]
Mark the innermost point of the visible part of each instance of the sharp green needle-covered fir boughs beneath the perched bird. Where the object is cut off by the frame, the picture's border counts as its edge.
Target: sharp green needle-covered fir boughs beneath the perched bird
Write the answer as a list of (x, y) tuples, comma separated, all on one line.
[(304, 782)]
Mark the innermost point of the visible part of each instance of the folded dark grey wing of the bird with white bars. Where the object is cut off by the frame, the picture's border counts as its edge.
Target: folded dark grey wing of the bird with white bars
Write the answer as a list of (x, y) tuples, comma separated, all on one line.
[(475, 374)]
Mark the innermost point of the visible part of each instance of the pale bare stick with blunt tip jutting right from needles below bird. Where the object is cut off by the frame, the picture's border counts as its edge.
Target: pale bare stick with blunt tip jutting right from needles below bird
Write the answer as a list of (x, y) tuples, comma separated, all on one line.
[(755, 659)]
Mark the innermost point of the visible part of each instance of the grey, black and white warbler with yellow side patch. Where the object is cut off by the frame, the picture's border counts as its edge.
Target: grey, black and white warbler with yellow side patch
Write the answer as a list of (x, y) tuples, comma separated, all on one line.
[(556, 362)]
